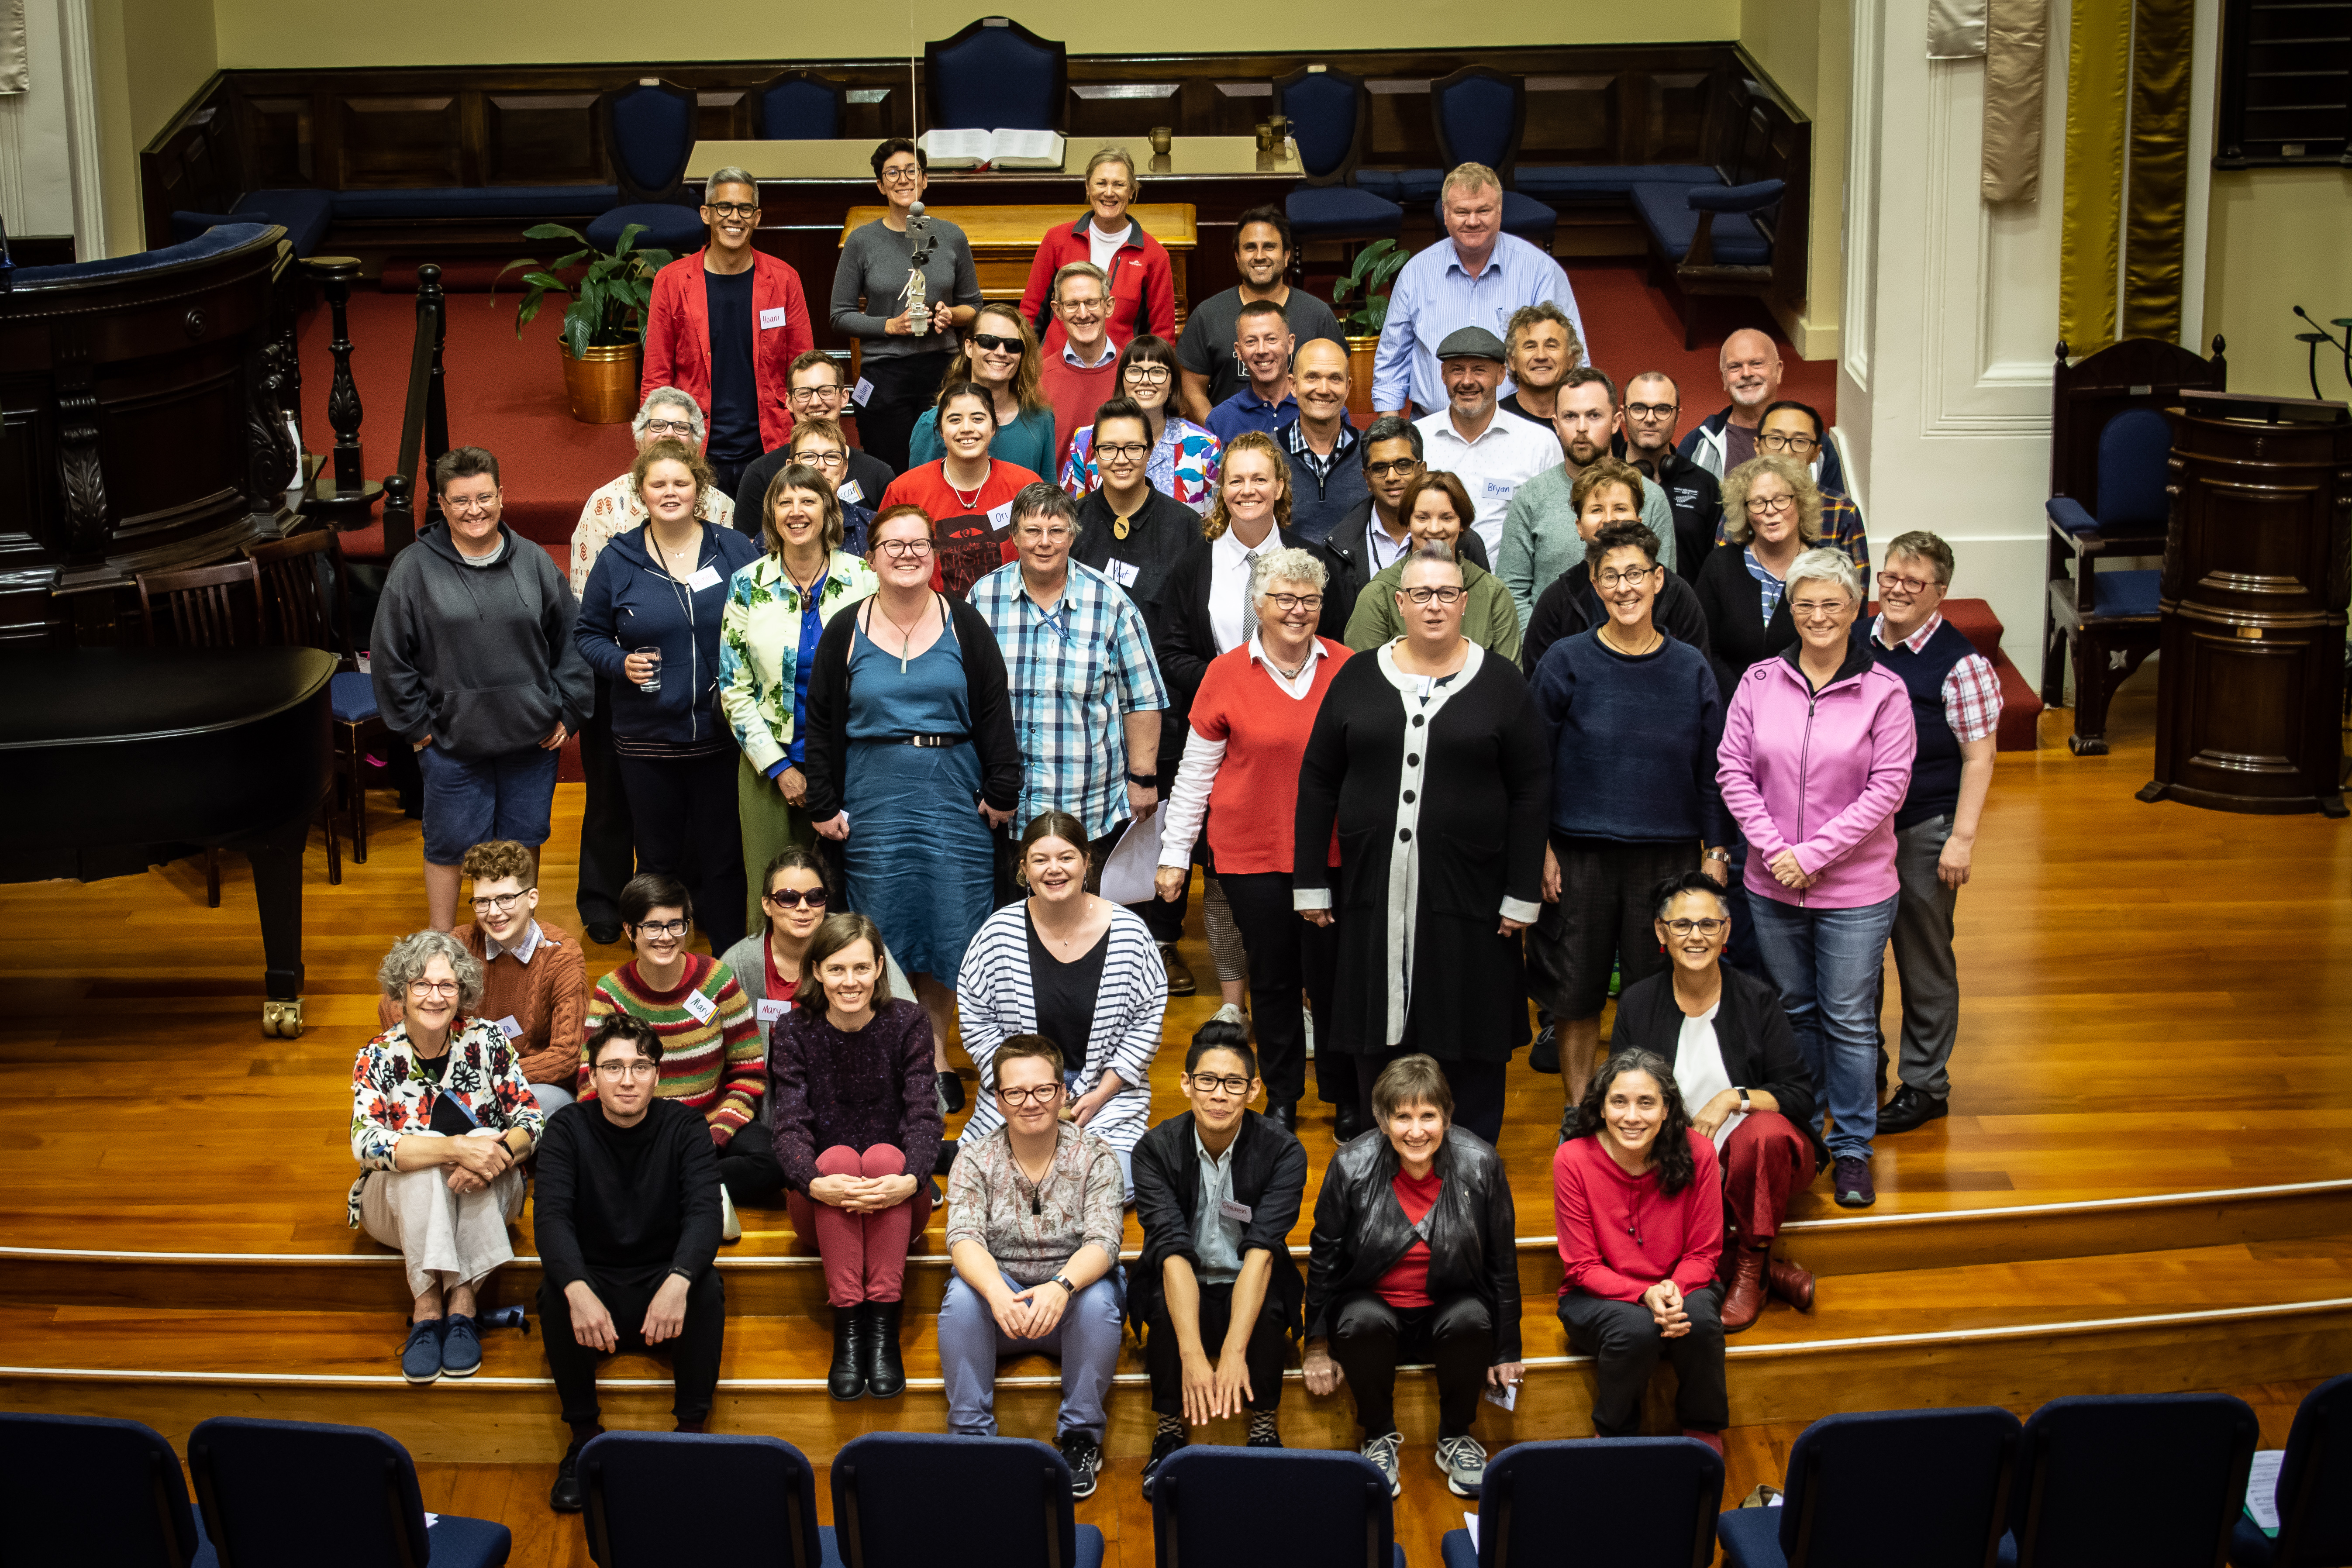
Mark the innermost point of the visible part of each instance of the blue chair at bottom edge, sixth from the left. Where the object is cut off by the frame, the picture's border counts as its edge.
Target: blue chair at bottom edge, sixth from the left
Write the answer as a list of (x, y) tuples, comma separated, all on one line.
[(1549, 1506)]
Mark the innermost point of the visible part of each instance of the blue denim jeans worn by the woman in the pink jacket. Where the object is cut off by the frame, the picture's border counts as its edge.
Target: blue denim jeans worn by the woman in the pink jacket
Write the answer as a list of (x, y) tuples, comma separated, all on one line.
[(1826, 965)]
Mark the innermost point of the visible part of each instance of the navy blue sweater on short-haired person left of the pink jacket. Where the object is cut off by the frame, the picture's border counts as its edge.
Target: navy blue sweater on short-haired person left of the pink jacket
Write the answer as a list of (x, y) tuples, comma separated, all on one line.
[(1633, 742)]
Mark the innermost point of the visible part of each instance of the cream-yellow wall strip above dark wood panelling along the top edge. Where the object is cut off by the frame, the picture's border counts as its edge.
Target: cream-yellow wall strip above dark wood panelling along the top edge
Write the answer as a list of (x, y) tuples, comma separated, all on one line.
[(260, 34)]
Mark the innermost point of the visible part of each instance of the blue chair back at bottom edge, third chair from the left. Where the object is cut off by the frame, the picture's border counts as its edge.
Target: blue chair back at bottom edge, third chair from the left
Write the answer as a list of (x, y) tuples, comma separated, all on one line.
[(650, 1501)]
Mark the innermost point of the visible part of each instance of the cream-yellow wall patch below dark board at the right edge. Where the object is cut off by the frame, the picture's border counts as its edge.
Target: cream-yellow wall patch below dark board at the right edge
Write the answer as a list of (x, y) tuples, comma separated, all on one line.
[(2278, 239)]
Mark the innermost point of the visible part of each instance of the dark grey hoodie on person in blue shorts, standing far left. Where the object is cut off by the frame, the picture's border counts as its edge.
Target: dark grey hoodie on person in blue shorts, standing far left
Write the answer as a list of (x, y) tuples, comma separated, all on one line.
[(479, 657)]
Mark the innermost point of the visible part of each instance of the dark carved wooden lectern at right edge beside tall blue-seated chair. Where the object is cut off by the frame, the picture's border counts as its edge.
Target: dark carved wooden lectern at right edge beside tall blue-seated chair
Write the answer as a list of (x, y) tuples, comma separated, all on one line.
[(2252, 655)]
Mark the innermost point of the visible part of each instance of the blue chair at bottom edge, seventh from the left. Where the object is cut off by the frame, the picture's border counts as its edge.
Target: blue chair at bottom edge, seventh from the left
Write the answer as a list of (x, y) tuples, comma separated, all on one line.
[(1927, 1489)]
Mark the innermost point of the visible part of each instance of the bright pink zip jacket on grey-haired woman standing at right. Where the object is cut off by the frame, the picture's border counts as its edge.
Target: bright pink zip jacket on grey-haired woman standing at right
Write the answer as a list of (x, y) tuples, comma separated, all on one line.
[(1819, 775)]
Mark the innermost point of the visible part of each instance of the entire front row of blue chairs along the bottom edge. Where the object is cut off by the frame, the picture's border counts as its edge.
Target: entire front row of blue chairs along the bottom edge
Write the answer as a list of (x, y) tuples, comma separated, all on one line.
[(2097, 1482)]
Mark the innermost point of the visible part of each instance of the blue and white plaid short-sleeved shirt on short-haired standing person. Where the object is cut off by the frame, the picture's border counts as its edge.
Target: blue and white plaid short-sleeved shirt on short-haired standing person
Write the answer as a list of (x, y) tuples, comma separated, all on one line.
[(1074, 674)]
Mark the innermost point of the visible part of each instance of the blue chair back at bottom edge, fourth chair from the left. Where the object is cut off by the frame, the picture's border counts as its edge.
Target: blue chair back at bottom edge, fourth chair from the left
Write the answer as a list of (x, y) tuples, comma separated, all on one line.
[(893, 1492)]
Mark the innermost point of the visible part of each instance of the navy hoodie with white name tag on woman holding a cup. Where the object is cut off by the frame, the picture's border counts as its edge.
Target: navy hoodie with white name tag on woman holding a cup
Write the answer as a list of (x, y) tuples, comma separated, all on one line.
[(632, 605)]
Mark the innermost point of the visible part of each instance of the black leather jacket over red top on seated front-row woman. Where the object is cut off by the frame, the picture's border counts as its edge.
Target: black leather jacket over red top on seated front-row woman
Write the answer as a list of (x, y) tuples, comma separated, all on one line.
[(1361, 1233)]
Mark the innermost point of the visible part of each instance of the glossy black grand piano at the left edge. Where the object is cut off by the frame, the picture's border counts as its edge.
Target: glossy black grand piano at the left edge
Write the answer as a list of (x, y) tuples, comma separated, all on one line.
[(119, 758)]
